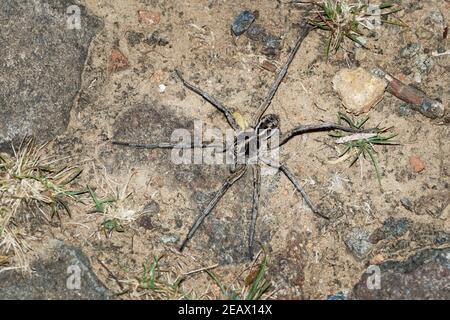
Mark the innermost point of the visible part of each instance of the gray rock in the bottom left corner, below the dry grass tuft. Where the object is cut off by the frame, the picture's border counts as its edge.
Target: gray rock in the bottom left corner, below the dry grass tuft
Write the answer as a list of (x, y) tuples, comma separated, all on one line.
[(54, 277)]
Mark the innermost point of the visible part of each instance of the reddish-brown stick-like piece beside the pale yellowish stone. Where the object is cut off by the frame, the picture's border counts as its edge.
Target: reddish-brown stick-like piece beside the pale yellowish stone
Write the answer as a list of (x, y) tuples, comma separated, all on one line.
[(417, 99)]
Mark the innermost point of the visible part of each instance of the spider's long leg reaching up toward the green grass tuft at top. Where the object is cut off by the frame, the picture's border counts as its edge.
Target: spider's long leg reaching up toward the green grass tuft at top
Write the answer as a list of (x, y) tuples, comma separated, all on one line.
[(305, 29)]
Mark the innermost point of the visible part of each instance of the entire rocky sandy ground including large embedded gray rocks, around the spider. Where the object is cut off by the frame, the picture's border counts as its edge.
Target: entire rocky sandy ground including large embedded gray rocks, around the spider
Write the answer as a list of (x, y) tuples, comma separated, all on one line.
[(113, 79)]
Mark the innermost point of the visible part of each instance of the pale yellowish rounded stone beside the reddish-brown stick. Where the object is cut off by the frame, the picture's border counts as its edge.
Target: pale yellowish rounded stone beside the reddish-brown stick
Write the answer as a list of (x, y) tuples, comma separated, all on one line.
[(358, 89)]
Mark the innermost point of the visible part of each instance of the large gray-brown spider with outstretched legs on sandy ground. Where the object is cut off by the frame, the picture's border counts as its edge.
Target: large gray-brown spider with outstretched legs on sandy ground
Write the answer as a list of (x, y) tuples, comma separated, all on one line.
[(263, 129)]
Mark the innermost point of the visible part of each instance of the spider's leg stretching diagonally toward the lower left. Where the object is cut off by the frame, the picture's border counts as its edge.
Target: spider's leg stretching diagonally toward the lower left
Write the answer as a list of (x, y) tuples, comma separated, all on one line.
[(219, 194)]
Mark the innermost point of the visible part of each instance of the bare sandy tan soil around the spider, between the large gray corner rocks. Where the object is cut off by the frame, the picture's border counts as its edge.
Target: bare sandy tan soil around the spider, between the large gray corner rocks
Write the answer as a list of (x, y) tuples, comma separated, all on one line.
[(309, 257)]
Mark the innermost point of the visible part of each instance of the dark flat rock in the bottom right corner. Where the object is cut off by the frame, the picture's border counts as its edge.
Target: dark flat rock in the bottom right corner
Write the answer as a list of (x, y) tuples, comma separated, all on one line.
[(424, 276)]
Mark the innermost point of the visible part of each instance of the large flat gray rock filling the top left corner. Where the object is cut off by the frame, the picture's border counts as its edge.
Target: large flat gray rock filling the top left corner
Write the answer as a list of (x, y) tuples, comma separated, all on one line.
[(41, 65)]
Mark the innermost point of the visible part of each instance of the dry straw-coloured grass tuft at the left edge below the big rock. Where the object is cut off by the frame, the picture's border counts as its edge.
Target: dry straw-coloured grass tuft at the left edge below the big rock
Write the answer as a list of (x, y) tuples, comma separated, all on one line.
[(31, 182)]
